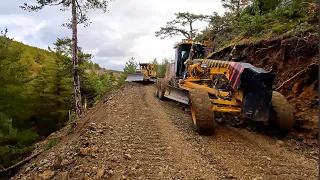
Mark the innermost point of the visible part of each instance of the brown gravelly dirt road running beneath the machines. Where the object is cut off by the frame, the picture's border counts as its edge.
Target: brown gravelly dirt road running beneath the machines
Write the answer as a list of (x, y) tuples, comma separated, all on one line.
[(133, 135)]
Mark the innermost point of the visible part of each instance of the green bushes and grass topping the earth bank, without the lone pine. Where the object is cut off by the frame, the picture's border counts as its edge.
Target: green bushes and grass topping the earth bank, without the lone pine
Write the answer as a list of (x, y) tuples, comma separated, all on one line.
[(260, 18)]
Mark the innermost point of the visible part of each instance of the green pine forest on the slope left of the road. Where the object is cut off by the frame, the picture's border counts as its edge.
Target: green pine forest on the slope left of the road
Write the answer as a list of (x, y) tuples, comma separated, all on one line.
[(36, 93)]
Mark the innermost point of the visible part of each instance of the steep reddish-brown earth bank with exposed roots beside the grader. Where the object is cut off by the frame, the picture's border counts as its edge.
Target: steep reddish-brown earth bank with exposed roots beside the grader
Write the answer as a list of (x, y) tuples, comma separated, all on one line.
[(294, 60)]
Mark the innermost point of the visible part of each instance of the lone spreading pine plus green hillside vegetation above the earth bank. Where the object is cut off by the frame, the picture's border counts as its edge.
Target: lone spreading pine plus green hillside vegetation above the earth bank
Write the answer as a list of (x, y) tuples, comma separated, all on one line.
[(247, 21)]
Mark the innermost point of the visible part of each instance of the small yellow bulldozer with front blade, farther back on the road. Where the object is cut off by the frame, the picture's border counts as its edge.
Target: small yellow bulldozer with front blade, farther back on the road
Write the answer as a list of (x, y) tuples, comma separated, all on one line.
[(145, 73)]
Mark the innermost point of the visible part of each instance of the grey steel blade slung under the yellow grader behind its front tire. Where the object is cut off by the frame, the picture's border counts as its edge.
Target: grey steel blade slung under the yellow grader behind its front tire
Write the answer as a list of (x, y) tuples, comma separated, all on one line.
[(179, 95)]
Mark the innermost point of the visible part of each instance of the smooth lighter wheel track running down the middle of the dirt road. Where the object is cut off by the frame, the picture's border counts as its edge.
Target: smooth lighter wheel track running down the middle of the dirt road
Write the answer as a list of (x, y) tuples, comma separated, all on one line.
[(184, 155)]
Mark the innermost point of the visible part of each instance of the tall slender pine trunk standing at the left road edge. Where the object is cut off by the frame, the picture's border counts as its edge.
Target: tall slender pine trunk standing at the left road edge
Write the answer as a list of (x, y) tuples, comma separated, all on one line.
[(76, 79)]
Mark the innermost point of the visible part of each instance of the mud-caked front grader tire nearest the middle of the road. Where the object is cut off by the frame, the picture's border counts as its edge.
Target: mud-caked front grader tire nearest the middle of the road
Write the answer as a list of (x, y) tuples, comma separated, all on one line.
[(201, 111)]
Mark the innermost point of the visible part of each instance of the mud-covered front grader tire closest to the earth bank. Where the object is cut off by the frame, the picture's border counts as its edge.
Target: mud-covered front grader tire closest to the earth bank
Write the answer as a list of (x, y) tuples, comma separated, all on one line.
[(281, 113)]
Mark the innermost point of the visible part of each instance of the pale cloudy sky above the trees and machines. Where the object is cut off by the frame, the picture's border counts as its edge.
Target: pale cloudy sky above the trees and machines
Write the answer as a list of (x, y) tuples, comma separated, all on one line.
[(127, 30)]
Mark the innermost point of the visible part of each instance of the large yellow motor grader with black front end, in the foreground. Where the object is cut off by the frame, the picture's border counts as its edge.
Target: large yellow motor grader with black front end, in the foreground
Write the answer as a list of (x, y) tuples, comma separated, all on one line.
[(209, 86)]
